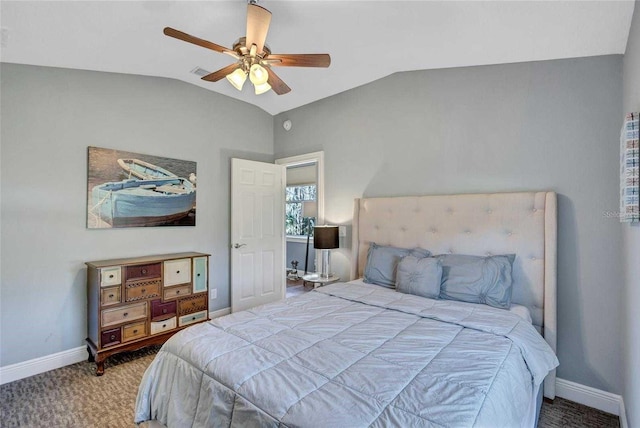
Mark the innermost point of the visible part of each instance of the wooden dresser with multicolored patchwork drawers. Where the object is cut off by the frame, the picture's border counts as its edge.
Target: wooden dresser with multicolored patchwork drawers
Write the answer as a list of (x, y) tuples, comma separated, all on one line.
[(142, 301)]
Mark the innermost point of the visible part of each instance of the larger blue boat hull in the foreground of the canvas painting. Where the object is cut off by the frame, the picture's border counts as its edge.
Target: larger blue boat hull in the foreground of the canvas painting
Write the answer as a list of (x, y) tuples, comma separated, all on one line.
[(154, 202)]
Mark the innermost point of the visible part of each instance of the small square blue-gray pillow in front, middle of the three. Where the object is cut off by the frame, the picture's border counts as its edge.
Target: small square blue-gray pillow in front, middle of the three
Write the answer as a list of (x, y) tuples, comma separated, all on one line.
[(419, 276)]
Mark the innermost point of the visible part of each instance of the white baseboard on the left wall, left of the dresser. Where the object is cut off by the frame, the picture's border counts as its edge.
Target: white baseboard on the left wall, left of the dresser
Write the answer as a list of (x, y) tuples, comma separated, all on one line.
[(43, 364)]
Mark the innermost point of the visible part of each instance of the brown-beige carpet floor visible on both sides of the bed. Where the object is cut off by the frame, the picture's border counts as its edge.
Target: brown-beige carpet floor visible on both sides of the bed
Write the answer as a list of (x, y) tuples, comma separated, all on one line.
[(74, 397)]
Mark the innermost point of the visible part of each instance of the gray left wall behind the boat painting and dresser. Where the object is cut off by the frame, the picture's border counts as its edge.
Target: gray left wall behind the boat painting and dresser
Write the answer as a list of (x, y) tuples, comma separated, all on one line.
[(49, 118)]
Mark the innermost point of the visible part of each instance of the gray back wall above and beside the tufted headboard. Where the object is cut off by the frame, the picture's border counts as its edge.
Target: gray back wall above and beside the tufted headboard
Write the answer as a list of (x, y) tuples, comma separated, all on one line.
[(532, 126)]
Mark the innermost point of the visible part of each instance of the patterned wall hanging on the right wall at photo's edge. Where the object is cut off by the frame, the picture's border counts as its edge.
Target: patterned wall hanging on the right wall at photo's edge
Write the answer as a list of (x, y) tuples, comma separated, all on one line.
[(629, 166)]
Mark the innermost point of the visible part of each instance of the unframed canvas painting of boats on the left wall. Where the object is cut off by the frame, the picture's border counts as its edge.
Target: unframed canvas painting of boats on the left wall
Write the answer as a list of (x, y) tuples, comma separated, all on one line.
[(127, 189)]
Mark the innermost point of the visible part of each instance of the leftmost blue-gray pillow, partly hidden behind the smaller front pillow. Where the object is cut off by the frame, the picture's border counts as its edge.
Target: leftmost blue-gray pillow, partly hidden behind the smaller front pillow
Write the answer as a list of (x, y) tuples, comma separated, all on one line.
[(382, 262)]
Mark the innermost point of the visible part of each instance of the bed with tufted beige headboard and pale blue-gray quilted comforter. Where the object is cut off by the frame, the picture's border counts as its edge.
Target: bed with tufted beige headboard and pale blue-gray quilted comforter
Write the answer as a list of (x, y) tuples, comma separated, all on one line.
[(360, 354)]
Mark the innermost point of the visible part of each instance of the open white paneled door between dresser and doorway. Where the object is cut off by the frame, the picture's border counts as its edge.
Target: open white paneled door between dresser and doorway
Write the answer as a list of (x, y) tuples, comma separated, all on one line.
[(257, 233)]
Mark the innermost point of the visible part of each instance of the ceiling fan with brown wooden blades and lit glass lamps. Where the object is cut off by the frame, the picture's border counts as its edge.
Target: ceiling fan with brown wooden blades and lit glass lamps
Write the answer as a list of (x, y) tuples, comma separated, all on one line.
[(253, 56)]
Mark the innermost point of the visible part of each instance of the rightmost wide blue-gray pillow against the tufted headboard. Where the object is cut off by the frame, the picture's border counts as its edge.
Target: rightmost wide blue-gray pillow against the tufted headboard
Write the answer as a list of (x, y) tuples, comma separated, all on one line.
[(477, 279)]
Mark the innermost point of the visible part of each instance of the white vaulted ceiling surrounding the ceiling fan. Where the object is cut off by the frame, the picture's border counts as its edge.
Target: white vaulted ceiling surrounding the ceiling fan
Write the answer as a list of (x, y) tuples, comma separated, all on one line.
[(366, 40)]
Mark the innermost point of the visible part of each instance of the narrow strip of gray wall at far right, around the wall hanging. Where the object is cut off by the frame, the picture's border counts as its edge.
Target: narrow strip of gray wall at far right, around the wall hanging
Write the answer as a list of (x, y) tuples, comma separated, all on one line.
[(631, 294)]
